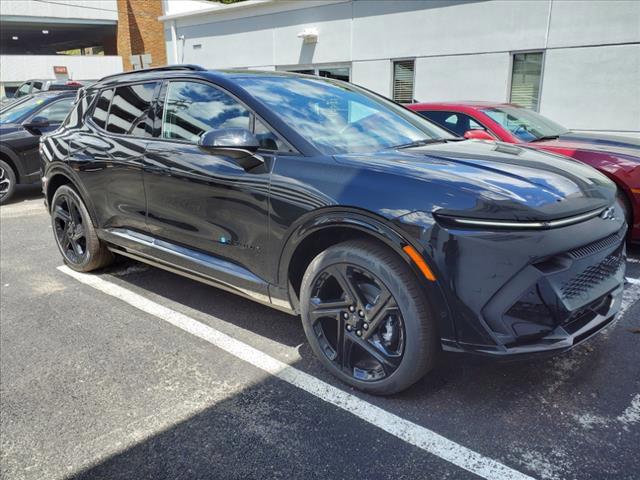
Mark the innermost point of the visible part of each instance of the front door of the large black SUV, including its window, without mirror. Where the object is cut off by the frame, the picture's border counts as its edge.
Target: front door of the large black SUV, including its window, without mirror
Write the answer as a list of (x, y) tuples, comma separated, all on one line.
[(205, 206)]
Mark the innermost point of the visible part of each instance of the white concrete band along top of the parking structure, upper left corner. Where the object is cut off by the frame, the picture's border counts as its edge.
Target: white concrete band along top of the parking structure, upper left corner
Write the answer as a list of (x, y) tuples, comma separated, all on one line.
[(100, 9)]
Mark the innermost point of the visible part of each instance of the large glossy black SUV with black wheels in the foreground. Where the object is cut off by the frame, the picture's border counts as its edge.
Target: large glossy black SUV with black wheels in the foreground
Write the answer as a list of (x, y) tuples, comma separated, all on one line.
[(390, 237)]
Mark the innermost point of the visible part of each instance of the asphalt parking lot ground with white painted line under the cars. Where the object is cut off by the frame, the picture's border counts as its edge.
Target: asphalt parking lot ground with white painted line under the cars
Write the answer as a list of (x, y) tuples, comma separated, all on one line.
[(138, 373)]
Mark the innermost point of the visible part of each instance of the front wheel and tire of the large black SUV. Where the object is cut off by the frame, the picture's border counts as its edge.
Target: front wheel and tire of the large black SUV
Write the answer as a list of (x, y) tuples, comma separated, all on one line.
[(391, 316)]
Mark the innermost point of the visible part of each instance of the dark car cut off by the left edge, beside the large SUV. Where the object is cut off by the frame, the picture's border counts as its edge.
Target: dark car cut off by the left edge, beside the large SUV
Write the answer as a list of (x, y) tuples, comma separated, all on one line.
[(20, 128)]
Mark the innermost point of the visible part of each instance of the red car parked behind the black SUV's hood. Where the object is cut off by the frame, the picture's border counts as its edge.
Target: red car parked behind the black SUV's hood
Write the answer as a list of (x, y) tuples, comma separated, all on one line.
[(618, 157)]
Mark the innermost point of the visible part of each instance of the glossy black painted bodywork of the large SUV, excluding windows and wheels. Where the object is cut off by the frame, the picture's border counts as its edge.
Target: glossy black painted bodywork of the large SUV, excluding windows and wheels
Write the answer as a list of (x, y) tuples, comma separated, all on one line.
[(197, 211)]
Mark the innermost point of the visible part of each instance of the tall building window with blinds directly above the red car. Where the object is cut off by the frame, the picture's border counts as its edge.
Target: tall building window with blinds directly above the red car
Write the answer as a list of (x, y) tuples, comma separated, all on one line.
[(526, 77)]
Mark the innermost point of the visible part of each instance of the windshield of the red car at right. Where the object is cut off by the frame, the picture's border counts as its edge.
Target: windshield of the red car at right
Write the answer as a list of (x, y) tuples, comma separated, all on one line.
[(525, 124)]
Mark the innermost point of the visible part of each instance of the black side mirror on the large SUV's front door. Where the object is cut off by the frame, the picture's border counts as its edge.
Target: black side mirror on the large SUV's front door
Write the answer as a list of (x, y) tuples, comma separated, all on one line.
[(237, 143)]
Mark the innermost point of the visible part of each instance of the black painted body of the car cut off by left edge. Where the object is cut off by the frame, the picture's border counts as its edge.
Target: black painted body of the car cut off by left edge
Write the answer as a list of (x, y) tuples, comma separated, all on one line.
[(19, 141)]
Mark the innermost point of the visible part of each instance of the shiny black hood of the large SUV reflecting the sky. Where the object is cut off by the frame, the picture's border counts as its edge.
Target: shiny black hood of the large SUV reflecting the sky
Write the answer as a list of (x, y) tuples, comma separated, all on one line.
[(495, 180)]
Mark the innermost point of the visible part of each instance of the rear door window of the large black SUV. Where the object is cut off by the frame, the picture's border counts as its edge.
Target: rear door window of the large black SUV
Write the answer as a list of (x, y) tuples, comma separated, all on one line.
[(129, 109)]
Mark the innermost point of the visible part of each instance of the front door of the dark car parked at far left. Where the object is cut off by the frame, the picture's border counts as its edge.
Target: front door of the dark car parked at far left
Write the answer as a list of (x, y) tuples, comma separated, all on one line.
[(54, 113)]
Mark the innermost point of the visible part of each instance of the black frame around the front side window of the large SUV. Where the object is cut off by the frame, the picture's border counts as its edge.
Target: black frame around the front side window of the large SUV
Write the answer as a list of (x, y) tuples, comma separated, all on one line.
[(159, 110)]
